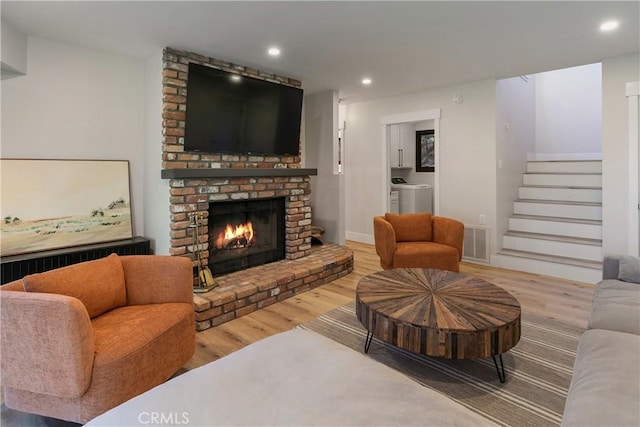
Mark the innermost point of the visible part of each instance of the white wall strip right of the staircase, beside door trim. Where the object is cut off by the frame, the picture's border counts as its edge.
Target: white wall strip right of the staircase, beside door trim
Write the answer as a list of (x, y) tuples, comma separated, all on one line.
[(616, 72)]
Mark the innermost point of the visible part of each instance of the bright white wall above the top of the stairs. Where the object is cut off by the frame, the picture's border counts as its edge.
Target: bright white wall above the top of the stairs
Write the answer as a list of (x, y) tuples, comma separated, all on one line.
[(569, 110)]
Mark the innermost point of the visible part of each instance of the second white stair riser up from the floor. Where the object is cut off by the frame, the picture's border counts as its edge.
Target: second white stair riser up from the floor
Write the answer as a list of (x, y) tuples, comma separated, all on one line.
[(551, 247)]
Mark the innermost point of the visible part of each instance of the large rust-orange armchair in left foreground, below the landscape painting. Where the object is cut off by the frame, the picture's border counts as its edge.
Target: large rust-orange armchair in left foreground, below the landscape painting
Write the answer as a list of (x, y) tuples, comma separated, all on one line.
[(79, 340)]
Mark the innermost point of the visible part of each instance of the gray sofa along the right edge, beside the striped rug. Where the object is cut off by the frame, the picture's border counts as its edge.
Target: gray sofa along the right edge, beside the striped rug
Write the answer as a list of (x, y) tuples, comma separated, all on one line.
[(605, 386)]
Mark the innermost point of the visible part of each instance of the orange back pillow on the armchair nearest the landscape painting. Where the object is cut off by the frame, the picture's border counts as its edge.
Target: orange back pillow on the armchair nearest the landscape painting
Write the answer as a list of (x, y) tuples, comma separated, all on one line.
[(98, 284)]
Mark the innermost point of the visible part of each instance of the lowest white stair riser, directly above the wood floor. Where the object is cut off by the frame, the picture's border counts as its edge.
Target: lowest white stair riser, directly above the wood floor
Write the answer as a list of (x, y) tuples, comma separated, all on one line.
[(568, 272)]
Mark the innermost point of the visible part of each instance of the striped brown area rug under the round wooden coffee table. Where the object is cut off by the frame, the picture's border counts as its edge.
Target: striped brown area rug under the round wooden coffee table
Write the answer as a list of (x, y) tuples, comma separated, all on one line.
[(538, 369)]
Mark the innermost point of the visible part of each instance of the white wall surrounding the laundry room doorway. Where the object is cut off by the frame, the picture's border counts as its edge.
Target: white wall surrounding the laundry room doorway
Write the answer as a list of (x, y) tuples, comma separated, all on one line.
[(467, 154)]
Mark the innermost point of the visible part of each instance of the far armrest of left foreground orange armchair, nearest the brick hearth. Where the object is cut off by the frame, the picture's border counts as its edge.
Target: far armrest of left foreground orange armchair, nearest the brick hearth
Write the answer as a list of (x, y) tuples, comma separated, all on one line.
[(156, 279)]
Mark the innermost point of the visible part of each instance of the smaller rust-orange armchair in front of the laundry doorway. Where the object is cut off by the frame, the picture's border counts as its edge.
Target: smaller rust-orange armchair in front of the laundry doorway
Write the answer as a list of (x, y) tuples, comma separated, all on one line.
[(418, 240)]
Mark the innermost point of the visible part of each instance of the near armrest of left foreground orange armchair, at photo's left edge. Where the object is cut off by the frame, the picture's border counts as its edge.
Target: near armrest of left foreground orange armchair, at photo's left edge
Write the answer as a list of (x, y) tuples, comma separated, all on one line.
[(47, 344)]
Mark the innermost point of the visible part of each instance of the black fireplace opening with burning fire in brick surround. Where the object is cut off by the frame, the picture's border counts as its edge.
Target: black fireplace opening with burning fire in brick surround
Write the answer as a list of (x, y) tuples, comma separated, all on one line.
[(246, 233)]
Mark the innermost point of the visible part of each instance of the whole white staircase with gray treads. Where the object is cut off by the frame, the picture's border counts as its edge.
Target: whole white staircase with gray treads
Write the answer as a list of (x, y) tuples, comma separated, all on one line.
[(556, 226)]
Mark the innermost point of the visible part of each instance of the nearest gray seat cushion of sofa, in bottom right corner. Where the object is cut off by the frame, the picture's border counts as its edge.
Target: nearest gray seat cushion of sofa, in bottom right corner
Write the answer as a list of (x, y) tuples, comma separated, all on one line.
[(605, 390)]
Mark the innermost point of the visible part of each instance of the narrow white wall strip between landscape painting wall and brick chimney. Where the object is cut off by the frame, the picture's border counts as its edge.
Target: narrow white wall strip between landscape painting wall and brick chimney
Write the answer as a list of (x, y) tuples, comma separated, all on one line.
[(155, 190)]
